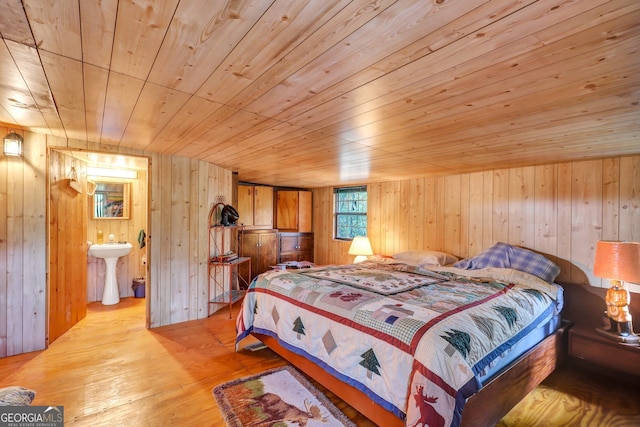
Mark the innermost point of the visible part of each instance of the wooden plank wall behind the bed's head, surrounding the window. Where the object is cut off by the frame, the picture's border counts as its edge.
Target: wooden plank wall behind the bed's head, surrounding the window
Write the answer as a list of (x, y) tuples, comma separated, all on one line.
[(560, 210)]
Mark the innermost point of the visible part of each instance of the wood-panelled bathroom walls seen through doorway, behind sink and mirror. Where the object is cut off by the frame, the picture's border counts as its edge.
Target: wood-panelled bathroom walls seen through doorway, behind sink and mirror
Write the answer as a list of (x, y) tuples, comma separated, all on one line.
[(76, 278)]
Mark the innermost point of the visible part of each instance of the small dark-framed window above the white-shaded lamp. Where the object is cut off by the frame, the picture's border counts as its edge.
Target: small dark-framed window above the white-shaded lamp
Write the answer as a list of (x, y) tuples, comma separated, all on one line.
[(350, 212)]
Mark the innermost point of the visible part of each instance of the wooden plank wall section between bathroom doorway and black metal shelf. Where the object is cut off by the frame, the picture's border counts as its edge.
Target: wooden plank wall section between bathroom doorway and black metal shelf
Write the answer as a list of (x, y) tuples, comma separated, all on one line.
[(182, 193)]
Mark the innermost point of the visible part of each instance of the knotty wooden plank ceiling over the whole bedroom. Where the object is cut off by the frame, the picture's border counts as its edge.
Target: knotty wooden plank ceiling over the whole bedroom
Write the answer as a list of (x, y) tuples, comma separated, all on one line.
[(326, 92)]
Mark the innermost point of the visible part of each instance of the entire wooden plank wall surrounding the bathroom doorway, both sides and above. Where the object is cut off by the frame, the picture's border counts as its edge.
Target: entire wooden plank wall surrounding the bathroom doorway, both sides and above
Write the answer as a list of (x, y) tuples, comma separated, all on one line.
[(181, 193)]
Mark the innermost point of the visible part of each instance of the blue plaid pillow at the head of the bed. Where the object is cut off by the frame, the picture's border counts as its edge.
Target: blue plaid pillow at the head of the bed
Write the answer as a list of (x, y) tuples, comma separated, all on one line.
[(503, 255)]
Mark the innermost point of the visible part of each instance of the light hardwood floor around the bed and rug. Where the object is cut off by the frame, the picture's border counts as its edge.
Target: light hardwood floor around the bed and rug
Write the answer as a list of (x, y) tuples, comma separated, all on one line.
[(109, 370)]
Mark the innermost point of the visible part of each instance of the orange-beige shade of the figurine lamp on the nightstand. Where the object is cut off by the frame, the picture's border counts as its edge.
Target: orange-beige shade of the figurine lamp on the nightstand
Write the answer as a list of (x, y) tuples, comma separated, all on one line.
[(618, 261)]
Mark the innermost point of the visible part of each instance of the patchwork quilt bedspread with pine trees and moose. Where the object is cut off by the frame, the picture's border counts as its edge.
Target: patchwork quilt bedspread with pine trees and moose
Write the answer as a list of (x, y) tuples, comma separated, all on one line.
[(412, 339)]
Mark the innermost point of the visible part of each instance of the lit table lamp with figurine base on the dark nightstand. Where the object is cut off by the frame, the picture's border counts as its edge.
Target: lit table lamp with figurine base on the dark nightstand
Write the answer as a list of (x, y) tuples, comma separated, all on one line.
[(619, 262)]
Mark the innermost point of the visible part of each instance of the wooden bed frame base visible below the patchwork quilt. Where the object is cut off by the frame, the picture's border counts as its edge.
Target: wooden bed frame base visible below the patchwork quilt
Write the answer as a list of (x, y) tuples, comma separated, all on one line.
[(487, 407)]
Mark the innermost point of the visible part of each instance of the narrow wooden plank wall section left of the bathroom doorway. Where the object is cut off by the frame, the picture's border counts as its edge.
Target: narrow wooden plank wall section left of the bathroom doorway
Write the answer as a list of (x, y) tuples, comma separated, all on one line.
[(23, 248)]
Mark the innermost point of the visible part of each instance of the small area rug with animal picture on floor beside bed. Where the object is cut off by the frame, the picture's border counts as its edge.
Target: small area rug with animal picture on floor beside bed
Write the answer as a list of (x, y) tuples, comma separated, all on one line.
[(278, 397)]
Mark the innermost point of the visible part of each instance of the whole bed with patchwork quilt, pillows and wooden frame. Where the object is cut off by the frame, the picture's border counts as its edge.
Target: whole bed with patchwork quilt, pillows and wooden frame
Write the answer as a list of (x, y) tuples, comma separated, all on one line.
[(412, 340)]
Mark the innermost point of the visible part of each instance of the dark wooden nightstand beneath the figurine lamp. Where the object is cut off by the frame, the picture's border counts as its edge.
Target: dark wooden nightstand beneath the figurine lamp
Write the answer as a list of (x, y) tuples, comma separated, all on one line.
[(586, 344)]
